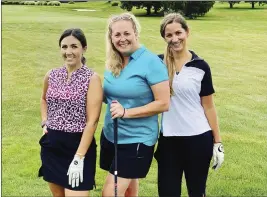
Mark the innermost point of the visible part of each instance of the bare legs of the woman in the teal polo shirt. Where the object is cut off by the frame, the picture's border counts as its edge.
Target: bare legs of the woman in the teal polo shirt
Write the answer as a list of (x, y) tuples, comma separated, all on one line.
[(122, 185)]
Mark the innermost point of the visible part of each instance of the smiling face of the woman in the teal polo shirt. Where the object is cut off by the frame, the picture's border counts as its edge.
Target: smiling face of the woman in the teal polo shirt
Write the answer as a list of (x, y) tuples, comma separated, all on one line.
[(124, 37)]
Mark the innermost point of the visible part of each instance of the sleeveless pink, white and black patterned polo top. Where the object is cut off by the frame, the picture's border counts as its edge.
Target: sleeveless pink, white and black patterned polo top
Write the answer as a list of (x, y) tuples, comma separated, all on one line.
[(66, 100)]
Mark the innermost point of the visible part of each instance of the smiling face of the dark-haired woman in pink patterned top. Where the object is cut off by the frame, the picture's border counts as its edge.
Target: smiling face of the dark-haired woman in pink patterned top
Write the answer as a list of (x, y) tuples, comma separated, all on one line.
[(71, 51)]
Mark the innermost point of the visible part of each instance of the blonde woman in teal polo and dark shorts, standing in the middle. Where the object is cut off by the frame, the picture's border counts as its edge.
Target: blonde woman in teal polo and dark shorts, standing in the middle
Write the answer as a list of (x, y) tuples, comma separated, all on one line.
[(136, 87)]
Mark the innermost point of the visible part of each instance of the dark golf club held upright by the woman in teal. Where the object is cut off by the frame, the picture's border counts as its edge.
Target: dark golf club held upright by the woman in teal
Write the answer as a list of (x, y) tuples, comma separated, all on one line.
[(115, 156)]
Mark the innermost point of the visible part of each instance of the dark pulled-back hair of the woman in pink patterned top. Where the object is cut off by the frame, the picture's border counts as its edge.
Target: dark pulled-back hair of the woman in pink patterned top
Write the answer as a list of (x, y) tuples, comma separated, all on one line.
[(78, 34)]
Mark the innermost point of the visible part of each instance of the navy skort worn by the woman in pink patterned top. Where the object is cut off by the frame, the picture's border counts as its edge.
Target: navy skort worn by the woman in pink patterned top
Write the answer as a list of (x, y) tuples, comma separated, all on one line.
[(57, 152)]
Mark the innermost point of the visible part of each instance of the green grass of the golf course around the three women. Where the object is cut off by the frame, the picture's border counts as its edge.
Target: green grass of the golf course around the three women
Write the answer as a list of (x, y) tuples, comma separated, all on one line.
[(232, 41)]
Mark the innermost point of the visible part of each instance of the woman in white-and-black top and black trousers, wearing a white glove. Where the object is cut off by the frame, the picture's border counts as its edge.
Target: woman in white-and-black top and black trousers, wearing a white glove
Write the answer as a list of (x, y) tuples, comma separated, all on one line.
[(190, 132)]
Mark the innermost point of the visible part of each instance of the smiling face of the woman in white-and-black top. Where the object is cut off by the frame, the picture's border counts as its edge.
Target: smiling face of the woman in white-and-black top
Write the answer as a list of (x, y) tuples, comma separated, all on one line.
[(176, 36)]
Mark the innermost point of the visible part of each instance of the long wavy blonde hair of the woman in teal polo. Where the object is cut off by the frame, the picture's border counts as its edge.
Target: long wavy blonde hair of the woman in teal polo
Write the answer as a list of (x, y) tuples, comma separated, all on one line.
[(114, 59)]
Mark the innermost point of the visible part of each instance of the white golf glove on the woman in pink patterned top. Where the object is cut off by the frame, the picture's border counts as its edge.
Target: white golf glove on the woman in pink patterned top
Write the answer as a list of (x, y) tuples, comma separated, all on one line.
[(75, 171)]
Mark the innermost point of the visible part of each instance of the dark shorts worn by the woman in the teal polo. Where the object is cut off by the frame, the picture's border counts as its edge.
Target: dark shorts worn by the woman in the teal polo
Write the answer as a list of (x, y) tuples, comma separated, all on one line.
[(134, 160)]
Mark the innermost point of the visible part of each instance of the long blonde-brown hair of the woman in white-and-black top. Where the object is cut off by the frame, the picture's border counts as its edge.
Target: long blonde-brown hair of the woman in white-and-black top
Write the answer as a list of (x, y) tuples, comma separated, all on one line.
[(168, 54)]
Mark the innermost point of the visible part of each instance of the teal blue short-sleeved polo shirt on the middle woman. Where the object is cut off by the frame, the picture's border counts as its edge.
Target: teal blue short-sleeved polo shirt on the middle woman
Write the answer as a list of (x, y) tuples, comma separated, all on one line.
[(132, 88)]
